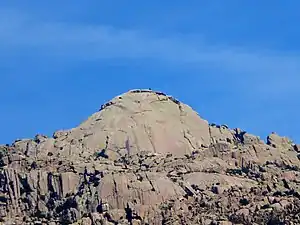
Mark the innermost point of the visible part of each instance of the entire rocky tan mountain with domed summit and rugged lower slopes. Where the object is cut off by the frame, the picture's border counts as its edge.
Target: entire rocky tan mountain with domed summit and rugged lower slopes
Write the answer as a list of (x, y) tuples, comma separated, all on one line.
[(146, 158)]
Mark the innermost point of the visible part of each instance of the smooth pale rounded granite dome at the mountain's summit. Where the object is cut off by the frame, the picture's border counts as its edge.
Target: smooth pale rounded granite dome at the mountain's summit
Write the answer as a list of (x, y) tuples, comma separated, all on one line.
[(144, 121)]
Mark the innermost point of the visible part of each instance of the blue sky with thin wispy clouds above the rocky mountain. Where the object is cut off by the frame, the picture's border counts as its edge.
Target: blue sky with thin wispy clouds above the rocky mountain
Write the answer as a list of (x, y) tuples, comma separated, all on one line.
[(235, 62)]
